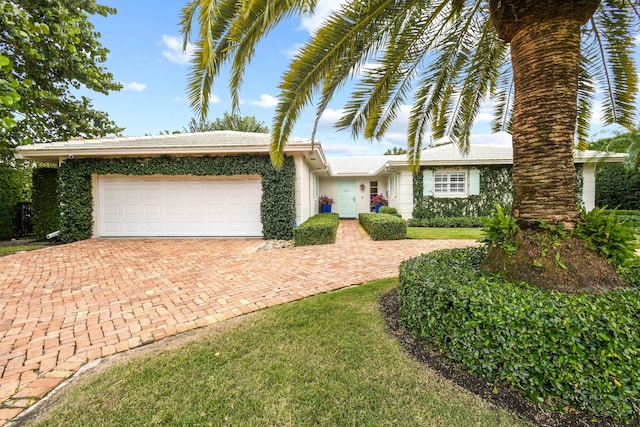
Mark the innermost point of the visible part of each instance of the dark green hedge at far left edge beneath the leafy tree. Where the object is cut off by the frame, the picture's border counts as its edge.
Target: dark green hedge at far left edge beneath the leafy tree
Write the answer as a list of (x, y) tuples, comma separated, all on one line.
[(10, 196)]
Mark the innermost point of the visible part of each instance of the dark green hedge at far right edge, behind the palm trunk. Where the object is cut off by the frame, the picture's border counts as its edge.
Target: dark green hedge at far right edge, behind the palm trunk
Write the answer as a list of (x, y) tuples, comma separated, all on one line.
[(618, 187)]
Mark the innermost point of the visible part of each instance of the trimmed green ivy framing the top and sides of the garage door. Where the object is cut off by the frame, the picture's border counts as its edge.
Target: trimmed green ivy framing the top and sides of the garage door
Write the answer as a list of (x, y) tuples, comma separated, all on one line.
[(278, 187)]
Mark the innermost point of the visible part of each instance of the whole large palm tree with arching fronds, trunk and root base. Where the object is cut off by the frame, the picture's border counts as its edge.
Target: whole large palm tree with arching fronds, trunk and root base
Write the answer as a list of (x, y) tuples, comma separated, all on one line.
[(540, 60)]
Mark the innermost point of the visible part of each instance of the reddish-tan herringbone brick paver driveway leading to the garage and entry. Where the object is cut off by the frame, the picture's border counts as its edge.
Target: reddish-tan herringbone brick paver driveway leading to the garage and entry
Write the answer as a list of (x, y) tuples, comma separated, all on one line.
[(64, 306)]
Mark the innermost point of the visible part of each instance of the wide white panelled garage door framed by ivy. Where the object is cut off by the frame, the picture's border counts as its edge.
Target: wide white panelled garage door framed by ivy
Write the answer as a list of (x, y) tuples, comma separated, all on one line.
[(178, 206)]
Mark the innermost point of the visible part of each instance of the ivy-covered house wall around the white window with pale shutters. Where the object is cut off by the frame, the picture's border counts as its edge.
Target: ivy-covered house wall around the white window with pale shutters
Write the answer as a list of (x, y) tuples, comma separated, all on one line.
[(496, 186)]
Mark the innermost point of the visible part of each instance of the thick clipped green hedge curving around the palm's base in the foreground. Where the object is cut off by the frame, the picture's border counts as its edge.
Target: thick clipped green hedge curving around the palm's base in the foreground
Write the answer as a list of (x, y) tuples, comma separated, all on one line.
[(581, 351)]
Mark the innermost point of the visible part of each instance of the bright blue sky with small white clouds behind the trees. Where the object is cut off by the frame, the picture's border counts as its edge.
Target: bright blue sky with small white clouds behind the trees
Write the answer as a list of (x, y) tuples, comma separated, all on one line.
[(146, 57)]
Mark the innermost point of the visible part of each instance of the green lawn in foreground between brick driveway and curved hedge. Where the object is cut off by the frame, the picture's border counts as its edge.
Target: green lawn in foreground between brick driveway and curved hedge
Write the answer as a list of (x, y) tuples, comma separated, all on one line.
[(326, 360)]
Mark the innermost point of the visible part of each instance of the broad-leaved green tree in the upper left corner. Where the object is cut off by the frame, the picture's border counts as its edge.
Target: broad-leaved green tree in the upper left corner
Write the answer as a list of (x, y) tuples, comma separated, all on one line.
[(48, 48)]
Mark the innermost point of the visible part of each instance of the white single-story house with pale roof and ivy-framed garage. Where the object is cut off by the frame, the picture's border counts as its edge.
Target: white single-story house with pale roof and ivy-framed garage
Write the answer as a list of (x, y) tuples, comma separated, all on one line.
[(222, 184)]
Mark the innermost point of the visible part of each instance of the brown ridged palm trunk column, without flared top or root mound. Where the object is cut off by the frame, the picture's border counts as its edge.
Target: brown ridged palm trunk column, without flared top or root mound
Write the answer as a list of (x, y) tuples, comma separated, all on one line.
[(545, 58)]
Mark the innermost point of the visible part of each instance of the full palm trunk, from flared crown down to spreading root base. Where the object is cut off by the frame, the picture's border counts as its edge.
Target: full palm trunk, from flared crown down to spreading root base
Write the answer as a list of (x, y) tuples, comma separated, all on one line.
[(544, 38)]
